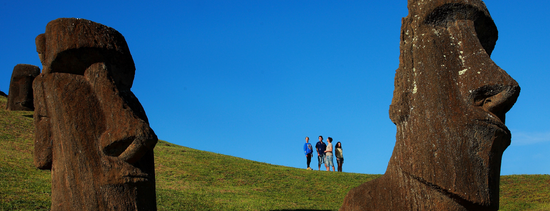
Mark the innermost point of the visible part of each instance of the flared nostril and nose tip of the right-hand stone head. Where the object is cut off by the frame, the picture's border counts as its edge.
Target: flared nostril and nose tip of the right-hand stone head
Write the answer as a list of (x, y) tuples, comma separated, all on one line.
[(496, 99)]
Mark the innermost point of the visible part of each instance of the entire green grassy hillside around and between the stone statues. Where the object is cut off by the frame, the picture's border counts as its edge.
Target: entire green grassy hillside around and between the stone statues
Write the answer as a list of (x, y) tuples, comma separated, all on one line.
[(189, 179)]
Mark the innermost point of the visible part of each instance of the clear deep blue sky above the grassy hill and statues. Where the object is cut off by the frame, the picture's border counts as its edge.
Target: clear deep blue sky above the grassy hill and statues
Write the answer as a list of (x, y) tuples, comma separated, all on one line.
[(251, 79)]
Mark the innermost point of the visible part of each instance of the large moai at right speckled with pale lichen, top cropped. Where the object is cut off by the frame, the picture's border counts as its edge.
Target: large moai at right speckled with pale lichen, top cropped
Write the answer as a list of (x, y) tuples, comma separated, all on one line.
[(449, 105)]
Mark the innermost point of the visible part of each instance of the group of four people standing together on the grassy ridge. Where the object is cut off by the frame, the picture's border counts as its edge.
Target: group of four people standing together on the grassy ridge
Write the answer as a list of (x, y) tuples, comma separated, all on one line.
[(325, 153)]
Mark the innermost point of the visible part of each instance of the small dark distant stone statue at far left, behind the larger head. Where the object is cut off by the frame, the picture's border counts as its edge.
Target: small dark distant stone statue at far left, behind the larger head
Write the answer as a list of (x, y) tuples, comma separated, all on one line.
[(20, 93)]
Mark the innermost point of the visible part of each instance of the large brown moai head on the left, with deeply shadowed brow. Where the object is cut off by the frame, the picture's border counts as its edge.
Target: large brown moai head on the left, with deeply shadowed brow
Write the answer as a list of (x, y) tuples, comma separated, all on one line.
[(90, 129)]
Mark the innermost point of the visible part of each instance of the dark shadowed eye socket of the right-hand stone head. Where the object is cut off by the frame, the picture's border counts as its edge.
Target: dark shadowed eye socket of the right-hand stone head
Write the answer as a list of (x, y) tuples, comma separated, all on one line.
[(486, 29)]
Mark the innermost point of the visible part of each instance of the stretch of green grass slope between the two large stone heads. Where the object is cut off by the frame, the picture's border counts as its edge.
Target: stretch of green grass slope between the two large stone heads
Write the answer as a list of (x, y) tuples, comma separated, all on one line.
[(192, 179)]
